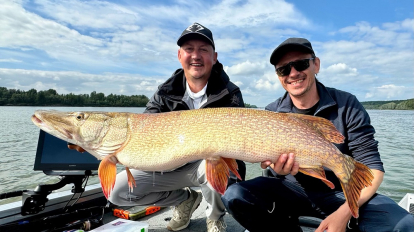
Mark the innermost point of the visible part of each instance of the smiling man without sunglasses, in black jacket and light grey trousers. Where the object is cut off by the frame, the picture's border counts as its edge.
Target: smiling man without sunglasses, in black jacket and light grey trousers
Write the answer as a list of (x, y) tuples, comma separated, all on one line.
[(200, 83)]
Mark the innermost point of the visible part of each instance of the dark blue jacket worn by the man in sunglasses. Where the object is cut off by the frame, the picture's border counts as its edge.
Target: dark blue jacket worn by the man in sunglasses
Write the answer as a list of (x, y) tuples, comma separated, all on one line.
[(350, 118)]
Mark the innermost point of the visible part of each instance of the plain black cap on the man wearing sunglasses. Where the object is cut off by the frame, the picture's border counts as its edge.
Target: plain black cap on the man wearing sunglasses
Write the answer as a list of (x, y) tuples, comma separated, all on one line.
[(291, 44)]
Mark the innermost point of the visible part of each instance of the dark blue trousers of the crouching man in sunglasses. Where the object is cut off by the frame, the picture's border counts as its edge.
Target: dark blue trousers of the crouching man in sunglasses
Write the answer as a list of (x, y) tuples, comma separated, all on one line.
[(266, 202)]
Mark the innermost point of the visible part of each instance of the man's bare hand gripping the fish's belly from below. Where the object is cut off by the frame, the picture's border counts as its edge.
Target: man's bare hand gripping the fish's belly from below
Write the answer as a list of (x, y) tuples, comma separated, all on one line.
[(284, 165)]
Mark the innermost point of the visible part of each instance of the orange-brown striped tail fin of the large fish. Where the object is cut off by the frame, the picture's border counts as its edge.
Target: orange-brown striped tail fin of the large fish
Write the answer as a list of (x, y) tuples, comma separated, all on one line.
[(359, 178)]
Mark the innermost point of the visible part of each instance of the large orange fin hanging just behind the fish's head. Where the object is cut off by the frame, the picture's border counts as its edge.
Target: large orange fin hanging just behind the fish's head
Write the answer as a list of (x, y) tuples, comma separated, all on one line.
[(107, 175)]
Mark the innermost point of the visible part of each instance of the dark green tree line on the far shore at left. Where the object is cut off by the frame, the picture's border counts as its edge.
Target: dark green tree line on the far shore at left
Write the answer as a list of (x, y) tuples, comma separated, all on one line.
[(15, 97)]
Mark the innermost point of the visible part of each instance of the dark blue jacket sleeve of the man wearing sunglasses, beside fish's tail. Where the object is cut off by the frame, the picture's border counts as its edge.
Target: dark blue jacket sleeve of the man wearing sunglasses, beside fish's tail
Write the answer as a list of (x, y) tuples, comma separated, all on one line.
[(361, 141)]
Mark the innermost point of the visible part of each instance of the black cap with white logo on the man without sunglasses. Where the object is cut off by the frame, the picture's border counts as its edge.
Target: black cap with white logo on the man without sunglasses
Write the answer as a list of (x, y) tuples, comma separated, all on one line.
[(196, 31)]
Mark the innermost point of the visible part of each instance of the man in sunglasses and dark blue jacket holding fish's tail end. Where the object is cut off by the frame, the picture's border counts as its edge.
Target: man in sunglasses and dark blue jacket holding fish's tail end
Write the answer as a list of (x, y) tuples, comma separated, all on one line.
[(277, 200)]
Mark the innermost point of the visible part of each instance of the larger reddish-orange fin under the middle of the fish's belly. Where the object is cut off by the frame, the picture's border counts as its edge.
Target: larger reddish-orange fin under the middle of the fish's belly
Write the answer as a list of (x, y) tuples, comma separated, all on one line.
[(217, 173)]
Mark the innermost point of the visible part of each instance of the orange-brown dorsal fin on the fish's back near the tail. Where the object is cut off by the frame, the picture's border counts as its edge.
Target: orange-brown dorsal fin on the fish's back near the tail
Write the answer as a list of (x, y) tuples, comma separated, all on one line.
[(324, 126)]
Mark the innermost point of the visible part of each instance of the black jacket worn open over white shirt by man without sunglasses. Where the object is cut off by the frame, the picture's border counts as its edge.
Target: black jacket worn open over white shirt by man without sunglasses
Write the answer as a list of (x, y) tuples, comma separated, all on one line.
[(221, 92)]
